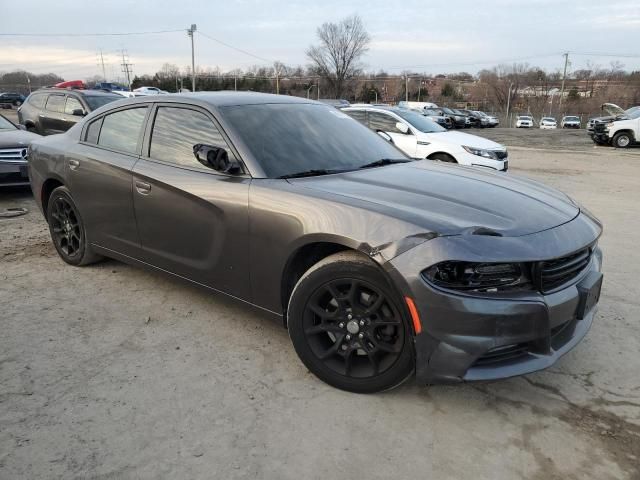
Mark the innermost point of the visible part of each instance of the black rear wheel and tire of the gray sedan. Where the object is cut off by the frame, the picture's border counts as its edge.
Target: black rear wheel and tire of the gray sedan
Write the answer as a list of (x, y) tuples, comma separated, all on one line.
[(67, 229)]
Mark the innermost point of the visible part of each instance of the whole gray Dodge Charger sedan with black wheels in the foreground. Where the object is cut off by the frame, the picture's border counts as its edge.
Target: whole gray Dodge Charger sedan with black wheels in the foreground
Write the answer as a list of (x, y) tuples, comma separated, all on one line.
[(379, 266)]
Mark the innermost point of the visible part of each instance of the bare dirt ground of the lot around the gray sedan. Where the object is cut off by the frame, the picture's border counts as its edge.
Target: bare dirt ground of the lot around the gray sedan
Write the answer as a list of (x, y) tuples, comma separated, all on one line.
[(112, 372)]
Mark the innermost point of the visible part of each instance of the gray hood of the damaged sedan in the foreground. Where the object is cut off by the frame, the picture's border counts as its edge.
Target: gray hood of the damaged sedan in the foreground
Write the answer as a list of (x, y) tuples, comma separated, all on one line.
[(449, 199)]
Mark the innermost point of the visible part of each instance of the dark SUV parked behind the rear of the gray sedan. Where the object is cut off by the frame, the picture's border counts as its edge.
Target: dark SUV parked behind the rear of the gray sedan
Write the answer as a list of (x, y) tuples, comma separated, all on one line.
[(56, 110)]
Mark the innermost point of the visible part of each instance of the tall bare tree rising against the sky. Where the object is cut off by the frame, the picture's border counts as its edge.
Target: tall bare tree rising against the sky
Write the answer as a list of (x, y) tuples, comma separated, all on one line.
[(342, 45)]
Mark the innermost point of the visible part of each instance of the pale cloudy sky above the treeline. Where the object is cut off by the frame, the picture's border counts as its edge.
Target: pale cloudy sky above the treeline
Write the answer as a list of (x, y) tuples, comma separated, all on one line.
[(423, 36)]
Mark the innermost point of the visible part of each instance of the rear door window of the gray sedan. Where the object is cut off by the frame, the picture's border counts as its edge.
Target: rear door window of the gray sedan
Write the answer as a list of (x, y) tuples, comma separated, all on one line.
[(121, 130)]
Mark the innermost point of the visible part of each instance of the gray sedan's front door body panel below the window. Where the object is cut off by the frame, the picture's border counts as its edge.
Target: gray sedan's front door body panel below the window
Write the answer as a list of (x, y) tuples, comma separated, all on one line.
[(194, 224)]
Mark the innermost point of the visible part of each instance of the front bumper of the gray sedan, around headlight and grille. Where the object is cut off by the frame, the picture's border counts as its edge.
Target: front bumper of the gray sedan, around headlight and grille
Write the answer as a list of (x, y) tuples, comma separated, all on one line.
[(468, 337)]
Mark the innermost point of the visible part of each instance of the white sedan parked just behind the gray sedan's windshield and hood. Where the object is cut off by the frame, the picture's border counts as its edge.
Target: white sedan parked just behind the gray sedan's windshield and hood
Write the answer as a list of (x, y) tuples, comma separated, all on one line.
[(420, 138)]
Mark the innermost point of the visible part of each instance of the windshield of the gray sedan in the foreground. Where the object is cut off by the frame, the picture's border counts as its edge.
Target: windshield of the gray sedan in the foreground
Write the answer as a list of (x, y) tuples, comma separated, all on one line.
[(291, 138)]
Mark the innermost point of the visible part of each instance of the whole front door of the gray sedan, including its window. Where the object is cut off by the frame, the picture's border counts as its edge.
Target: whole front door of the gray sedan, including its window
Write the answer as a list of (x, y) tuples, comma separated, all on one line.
[(192, 221)]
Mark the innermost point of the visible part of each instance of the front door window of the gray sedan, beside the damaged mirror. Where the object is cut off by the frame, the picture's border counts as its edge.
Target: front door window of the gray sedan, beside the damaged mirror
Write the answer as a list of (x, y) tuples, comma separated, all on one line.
[(177, 130)]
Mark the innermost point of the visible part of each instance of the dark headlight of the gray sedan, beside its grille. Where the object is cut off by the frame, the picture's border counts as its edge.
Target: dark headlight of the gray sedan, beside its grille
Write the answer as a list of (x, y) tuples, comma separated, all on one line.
[(478, 277)]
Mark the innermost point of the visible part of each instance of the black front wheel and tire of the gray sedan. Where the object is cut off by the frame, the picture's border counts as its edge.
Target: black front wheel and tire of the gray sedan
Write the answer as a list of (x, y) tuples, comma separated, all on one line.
[(349, 327)]
